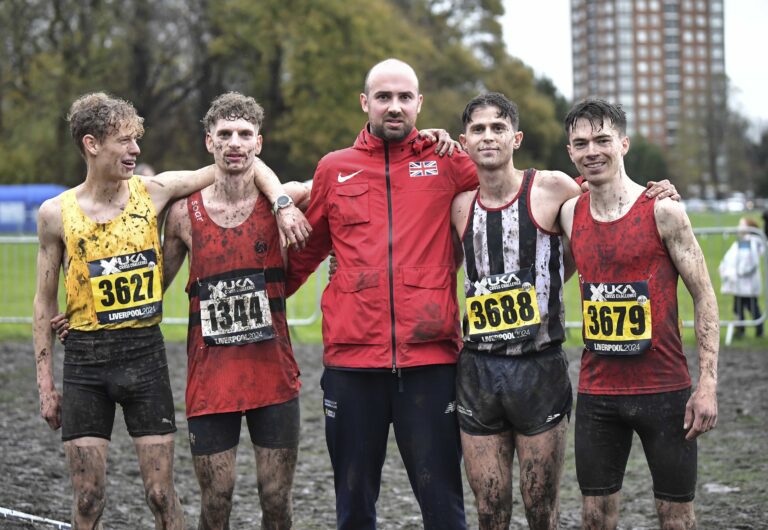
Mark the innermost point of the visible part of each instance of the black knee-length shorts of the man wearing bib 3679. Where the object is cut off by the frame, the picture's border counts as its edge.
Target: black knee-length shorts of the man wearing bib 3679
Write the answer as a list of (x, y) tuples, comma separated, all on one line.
[(604, 430)]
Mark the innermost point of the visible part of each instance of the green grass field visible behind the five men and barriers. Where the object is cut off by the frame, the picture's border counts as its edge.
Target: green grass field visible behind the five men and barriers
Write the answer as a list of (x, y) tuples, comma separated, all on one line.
[(17, 284)]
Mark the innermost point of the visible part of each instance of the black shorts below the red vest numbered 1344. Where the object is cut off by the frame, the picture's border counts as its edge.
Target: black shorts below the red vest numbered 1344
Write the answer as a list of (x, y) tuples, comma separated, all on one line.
[(274, 427)]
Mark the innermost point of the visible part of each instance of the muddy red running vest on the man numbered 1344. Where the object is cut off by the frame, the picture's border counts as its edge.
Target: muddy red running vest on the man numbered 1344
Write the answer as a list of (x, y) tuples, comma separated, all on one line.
[(226, 271)]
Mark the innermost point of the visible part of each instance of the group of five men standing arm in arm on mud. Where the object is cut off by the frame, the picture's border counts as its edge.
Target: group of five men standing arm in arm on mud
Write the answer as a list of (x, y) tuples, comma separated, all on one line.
[(393, 211)]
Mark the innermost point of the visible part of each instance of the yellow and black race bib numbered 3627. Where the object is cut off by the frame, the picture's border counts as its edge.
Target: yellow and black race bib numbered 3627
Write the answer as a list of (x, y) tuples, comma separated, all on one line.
[(126, 287)]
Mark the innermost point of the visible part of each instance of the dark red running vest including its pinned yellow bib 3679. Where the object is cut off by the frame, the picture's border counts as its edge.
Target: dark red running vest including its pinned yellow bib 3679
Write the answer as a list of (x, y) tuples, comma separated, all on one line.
[(629, 302)]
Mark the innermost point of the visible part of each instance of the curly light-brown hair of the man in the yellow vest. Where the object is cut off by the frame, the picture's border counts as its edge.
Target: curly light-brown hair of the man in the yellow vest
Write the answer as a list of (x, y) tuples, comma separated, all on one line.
[(100, 115)]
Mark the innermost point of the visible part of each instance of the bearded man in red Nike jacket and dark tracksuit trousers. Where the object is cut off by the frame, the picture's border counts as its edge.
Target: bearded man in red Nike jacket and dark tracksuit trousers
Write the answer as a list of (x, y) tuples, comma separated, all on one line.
[(390, 318)]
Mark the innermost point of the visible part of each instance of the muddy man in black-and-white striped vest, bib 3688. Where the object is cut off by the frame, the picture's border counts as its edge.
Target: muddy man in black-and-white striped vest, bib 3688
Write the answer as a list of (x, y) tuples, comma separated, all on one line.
[(513, 390)]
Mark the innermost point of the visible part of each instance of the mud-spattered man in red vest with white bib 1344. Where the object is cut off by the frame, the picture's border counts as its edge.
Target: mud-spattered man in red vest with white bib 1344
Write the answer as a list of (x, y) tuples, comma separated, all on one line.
[(240, 360)]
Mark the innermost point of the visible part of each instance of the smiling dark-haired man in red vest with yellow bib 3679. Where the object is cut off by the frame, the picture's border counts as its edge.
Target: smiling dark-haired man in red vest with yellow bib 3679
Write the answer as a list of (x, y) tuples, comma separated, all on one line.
[(629, 251)]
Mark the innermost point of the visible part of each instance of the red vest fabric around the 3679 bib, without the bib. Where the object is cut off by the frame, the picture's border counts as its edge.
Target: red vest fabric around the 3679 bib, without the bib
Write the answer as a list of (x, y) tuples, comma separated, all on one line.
[(627, 250)]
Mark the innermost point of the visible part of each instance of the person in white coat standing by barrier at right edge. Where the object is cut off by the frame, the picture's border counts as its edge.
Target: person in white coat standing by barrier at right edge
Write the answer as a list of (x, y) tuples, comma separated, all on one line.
[(740, 274)]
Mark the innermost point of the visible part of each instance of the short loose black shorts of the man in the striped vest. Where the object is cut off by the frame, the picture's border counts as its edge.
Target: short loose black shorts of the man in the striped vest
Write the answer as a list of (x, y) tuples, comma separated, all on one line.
[(528, 394)]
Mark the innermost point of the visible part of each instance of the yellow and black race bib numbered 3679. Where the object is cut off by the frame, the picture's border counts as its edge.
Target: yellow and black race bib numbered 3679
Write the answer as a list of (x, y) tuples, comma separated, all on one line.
[(617, 317)]
